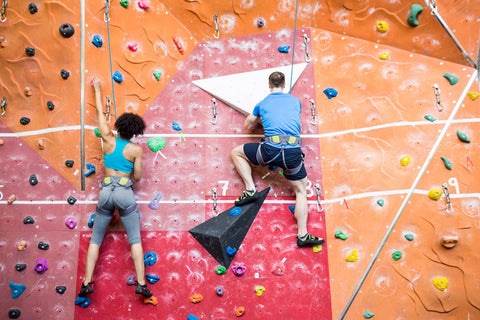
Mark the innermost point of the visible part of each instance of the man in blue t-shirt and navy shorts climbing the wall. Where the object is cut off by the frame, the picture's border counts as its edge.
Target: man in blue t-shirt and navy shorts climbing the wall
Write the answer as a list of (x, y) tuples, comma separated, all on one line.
[(279, 113)]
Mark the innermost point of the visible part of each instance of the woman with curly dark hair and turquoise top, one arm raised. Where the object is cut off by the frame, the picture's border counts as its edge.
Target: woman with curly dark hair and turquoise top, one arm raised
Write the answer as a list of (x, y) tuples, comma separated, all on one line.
[(121, 160)]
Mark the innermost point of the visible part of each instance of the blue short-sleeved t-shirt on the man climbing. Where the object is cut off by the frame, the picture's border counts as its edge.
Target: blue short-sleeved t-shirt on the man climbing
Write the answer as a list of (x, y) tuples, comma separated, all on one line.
[(280, 113)]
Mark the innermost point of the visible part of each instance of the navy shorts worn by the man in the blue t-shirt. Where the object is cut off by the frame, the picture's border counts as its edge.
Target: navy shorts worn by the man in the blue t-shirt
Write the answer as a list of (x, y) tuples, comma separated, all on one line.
[(293, 157)]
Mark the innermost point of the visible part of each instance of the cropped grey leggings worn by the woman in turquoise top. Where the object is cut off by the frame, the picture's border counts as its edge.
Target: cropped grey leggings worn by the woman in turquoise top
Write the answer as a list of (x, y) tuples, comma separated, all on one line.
[(116, 193)]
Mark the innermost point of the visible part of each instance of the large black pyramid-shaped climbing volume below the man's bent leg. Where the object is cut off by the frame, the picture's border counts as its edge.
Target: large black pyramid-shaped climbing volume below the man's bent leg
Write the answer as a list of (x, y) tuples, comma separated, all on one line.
[(225, 230)]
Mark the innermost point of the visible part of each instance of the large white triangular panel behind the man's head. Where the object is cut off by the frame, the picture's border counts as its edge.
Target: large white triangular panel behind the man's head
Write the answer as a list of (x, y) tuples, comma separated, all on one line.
[(242, 91)]
